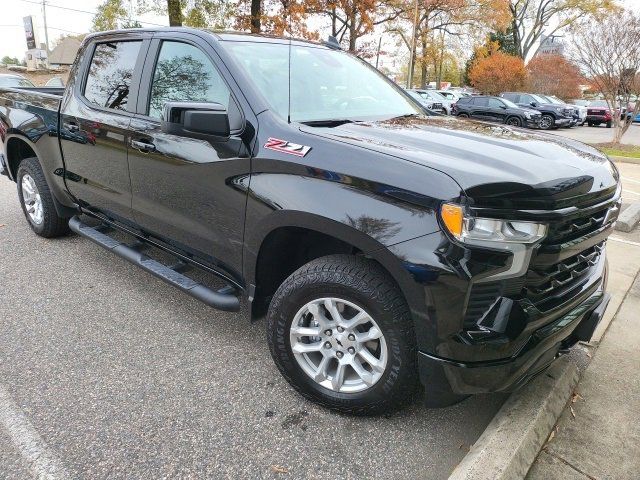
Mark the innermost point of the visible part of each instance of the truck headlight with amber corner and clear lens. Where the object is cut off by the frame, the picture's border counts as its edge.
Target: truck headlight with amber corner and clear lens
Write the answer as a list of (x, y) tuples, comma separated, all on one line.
[(472, 230)]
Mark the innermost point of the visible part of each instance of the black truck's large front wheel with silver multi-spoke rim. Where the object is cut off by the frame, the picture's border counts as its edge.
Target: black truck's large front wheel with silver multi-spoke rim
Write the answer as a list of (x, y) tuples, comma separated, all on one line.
[(359, 283)]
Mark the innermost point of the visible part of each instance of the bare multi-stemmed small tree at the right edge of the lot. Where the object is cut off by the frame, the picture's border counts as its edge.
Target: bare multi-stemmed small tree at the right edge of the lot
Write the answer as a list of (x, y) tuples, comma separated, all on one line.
[(611, 60)]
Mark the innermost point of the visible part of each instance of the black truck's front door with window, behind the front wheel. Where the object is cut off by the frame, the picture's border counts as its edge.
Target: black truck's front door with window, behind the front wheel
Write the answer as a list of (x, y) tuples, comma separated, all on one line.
[(185, 190)]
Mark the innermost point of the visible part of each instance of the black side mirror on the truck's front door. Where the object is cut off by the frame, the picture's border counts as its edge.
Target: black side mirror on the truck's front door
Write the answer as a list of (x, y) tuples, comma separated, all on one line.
[(196, 119)]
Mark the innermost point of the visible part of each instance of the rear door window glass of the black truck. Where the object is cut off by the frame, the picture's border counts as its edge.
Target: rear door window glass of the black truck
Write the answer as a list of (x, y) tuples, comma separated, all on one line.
[(110, 74)]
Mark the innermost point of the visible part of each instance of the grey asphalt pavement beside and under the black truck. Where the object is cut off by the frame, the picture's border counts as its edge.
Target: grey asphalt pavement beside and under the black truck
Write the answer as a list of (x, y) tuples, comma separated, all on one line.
[(107, 372)]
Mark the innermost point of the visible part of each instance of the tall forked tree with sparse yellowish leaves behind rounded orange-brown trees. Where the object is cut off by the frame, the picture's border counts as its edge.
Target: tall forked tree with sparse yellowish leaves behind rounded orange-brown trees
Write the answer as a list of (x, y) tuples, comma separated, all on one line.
[(530, 19)]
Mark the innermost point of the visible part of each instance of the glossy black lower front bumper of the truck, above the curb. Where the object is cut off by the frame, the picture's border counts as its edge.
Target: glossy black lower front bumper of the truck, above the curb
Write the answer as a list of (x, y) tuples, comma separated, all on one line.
[(509, 374)]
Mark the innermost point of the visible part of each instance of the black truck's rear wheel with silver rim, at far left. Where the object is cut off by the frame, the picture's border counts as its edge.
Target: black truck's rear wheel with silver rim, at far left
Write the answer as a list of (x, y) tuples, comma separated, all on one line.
[(43, 217)]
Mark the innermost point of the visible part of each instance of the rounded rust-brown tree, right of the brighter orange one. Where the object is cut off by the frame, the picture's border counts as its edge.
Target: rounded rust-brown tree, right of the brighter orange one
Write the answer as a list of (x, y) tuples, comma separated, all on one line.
[(554, 75)]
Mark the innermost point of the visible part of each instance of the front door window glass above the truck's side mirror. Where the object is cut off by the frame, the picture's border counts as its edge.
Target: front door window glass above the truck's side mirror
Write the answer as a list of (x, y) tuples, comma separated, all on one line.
[(183, 73)]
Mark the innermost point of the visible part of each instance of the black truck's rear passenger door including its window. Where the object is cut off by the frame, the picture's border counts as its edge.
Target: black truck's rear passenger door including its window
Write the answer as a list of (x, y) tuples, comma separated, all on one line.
[(94, 121)]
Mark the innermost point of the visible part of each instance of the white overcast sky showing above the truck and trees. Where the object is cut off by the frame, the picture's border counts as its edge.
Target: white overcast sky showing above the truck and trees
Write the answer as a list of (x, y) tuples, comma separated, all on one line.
[(64, 17)]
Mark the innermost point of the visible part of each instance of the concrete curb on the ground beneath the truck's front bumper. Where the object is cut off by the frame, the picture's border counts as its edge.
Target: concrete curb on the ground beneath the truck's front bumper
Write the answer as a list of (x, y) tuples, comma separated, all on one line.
[(512, 440)]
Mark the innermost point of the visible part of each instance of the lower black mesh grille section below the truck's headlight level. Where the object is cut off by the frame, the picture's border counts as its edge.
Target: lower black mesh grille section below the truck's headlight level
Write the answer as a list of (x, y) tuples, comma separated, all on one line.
[(544, 284)]
